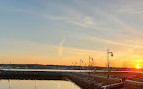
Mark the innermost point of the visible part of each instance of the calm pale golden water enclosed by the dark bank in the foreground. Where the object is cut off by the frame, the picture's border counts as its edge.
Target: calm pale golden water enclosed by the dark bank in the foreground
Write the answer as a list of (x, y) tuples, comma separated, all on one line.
[(37, 84)]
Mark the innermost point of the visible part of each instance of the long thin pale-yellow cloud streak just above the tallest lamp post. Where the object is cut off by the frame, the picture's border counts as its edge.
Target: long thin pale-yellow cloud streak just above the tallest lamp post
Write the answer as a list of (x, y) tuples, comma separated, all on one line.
[(125, 43)]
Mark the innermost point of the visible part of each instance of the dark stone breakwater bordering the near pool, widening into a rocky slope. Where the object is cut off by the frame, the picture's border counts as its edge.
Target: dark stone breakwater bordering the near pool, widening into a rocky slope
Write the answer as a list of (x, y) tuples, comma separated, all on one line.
[(83, 80)]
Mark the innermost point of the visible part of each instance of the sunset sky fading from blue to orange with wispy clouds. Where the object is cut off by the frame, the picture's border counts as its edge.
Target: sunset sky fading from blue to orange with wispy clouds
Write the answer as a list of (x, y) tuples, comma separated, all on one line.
[(65, 31)]
